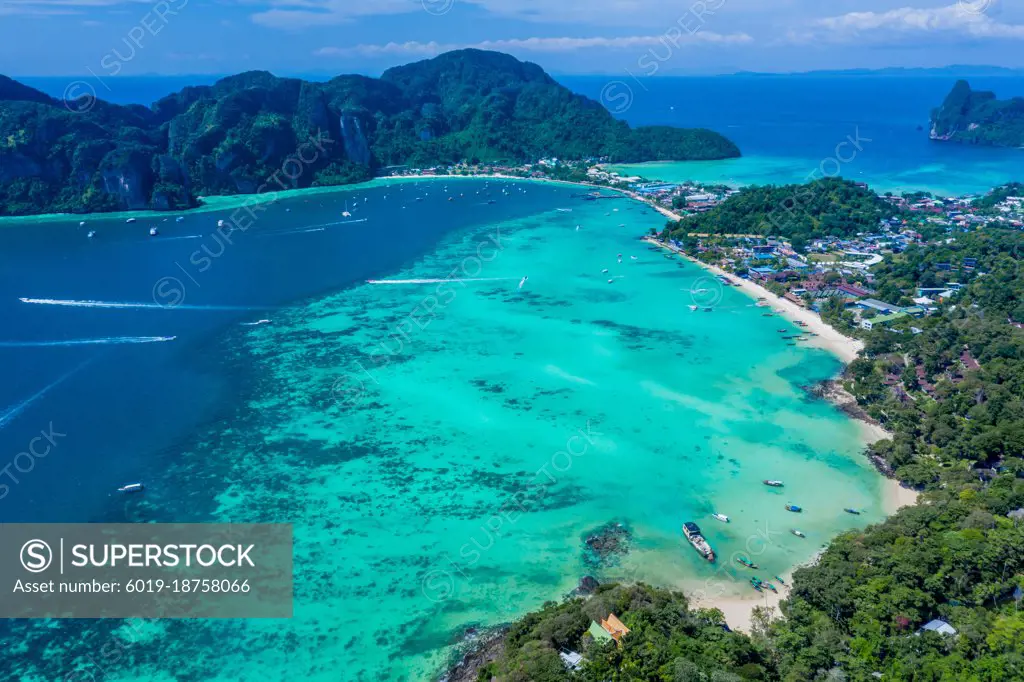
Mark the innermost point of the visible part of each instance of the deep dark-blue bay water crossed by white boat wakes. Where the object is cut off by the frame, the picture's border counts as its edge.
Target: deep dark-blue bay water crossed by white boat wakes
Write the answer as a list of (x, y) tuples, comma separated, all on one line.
[(124, 407)]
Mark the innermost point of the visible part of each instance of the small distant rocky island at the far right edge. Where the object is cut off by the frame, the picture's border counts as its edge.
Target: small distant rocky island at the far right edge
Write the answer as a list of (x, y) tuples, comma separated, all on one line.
[(976, 117)]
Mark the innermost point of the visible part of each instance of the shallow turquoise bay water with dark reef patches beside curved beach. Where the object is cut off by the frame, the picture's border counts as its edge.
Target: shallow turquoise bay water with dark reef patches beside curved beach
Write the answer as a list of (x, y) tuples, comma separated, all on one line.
[(444, 448)]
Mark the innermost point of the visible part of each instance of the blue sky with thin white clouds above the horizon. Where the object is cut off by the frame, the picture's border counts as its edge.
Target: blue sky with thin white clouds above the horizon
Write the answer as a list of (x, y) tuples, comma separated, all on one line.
[(136, 37)]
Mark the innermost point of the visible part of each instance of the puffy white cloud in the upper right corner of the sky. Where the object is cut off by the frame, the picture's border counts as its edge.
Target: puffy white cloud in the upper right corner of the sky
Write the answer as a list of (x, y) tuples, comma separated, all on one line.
[(969, 19)]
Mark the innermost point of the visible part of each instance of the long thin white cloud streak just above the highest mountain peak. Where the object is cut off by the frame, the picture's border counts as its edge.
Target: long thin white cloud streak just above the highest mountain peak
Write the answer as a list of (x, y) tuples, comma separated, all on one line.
[(539, 45)]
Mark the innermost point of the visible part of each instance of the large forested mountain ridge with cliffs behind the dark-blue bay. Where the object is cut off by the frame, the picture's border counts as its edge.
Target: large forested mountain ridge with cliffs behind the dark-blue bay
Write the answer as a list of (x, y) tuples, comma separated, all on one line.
[(253, 131)]
